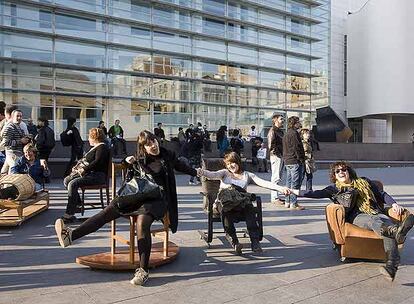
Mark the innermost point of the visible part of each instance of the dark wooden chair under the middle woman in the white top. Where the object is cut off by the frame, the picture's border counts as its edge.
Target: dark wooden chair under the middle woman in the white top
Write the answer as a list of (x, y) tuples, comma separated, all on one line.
[(210, 190)]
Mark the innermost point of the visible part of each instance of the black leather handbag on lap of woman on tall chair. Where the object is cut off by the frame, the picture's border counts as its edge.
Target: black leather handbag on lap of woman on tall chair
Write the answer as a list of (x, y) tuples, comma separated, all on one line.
[(141, 186)]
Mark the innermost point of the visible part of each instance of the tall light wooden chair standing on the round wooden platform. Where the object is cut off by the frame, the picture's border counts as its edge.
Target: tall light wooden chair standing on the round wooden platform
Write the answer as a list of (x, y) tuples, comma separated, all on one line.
[(162, 232)]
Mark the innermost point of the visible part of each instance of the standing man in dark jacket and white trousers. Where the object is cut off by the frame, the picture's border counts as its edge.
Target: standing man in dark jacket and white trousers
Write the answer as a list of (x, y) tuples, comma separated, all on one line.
[(275, 145)]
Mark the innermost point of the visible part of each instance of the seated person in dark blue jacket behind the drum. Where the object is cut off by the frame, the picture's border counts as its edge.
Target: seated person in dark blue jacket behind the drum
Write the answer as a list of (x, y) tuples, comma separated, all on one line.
[(27, 164)]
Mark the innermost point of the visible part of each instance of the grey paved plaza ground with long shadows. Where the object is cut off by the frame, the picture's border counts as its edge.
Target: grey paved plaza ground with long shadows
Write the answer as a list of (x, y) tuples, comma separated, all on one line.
[(297, 266)]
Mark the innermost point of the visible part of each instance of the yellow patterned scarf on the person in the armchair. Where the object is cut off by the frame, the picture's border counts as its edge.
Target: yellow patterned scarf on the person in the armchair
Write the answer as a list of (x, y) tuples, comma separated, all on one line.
[(365, 195)]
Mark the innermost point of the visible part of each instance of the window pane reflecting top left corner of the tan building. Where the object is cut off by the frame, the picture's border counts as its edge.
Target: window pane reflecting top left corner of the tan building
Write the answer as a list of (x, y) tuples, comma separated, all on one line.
[(129, 60)]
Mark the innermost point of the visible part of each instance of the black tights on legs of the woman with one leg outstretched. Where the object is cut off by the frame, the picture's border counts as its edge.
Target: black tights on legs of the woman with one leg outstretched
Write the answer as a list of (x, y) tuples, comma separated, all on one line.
[(110, 213)]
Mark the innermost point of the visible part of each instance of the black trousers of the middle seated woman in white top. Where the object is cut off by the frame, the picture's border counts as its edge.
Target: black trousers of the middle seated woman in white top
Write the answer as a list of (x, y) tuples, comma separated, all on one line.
[(240, 214)]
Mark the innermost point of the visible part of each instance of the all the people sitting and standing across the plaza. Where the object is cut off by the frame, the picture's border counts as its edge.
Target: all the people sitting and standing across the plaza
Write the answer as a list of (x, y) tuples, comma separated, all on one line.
[(26, 149)]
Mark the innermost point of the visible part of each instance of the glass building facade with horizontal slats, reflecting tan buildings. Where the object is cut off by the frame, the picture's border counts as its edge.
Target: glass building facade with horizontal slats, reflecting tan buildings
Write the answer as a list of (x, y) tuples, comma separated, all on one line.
[(220, 62)]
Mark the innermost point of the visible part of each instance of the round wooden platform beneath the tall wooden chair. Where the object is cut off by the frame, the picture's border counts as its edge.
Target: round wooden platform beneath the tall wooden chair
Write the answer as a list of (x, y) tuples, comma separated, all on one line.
[(120, 261)]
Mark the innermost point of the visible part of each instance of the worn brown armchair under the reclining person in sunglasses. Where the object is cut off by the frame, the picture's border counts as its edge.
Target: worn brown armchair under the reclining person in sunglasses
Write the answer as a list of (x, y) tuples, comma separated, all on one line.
[(353, 241)]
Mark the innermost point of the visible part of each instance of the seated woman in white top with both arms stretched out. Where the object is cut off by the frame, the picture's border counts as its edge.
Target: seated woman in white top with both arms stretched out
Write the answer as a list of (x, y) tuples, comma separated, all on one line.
[(234, 175)]
